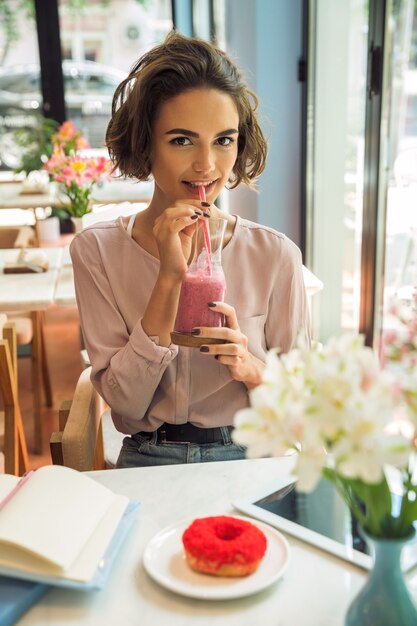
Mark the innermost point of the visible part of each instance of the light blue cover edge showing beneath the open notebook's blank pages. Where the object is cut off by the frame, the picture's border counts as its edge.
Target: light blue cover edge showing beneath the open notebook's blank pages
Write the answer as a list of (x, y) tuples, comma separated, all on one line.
[(103, 570)]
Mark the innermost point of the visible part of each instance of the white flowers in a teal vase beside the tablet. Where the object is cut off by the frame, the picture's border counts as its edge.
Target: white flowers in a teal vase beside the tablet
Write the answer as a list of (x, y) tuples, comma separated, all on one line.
[(352, 419)]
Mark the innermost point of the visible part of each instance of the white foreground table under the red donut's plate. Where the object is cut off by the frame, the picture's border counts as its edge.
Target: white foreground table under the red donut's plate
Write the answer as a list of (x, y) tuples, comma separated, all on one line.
[(315, 591)]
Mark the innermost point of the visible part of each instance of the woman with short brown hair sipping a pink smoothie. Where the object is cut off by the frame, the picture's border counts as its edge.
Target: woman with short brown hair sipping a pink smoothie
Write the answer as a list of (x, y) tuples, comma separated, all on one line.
[(185, 116)]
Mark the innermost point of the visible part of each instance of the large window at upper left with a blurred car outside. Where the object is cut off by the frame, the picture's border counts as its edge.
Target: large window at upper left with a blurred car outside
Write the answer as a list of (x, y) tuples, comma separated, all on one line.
[(100, 42)]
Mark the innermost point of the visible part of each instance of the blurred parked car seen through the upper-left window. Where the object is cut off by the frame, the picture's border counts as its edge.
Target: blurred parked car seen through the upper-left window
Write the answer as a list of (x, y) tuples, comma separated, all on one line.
[(89, 89)]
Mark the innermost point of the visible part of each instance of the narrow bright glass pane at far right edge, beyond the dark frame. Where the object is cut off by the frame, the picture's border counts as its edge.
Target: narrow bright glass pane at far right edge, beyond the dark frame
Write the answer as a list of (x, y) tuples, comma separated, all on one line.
[(399, 156)]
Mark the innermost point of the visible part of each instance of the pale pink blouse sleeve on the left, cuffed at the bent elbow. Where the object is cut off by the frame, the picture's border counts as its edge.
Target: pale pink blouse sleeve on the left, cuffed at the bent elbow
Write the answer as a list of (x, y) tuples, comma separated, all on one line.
[(126, 368)]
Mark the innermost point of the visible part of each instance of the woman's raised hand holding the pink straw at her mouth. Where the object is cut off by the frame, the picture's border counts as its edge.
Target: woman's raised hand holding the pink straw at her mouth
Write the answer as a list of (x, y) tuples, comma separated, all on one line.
[(173, 231)]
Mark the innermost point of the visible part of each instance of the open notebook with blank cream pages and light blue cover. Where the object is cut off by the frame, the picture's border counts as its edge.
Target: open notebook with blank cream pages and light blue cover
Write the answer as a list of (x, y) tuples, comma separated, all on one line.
[(61, 527)]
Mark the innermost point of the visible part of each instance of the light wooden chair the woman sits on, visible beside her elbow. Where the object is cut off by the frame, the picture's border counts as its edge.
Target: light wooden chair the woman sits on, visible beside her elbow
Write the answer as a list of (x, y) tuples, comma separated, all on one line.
[(87, 439)]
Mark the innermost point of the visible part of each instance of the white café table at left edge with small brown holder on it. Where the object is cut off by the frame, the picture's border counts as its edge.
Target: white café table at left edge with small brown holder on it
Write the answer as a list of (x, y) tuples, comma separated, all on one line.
[(29, 292)]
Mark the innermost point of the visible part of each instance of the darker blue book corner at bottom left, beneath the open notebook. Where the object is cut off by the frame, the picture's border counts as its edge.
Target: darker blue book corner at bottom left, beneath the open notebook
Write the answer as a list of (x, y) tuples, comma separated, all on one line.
[(16, 597)]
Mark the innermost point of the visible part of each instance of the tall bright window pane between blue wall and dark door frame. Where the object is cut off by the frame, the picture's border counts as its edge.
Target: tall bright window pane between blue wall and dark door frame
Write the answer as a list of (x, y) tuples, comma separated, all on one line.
[(336, 141)]
